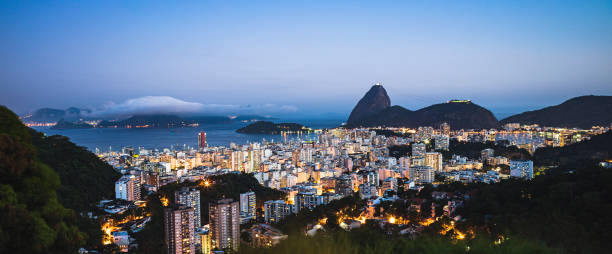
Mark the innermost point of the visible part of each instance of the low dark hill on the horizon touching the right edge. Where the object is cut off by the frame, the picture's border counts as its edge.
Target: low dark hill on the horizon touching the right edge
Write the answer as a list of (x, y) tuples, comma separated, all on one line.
[(582, 112)]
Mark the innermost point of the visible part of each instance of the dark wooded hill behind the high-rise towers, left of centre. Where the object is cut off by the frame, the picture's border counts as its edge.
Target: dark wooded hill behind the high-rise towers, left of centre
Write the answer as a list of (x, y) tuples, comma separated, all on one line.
[(151, 239)]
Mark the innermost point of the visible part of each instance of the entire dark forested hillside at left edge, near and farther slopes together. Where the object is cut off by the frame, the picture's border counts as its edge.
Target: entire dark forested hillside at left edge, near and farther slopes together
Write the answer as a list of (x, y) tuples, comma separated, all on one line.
[(46, 183)]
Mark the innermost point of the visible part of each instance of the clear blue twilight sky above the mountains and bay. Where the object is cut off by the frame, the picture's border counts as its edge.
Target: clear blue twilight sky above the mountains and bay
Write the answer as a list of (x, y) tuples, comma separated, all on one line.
[(308, 57)]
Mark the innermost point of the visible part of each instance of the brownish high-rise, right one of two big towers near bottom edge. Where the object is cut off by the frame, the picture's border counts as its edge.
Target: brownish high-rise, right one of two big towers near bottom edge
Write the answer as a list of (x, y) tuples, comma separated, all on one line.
[(225, 224)]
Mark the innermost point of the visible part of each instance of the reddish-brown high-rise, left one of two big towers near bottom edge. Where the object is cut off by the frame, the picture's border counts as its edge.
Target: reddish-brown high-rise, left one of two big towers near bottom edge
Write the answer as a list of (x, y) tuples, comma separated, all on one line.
[(180, 230)]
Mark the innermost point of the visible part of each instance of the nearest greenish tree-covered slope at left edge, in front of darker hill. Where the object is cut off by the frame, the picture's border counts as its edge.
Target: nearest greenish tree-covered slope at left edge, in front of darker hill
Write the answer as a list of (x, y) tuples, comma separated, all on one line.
[(31, 218)]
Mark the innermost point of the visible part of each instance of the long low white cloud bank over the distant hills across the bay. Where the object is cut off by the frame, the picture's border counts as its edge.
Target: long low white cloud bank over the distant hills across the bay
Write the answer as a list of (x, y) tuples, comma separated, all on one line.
[(171, 105)]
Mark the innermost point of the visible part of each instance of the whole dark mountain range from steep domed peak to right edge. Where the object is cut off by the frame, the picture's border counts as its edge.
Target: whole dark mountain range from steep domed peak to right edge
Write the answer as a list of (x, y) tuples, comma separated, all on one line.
[(374, 110)]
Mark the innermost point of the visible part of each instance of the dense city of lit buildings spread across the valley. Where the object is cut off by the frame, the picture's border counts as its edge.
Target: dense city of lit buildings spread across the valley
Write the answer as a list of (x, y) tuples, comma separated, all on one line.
[(330, 165)]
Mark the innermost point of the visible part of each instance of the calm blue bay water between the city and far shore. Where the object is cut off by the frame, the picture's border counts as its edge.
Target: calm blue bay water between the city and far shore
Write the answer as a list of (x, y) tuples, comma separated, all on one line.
[(216, 134)]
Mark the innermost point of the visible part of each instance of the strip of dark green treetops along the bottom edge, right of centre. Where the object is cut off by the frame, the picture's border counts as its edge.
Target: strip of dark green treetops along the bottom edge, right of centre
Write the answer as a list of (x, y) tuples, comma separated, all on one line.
[(368, 240)]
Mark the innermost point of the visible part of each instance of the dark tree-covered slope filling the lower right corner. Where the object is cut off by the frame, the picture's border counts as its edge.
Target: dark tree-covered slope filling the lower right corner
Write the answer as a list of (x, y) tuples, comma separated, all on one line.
[(568, 209)]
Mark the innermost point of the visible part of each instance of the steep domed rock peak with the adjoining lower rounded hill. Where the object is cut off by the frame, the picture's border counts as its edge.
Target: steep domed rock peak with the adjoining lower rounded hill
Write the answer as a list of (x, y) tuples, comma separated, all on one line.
[(373, 110)]
